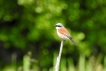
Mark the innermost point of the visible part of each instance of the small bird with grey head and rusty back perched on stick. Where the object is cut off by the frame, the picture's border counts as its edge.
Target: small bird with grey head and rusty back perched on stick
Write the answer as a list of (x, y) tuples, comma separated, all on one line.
[(63, 33)]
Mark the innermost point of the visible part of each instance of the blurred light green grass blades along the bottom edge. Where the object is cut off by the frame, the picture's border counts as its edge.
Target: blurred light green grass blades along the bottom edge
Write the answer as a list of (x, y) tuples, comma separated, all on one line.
[(92, 64)]
